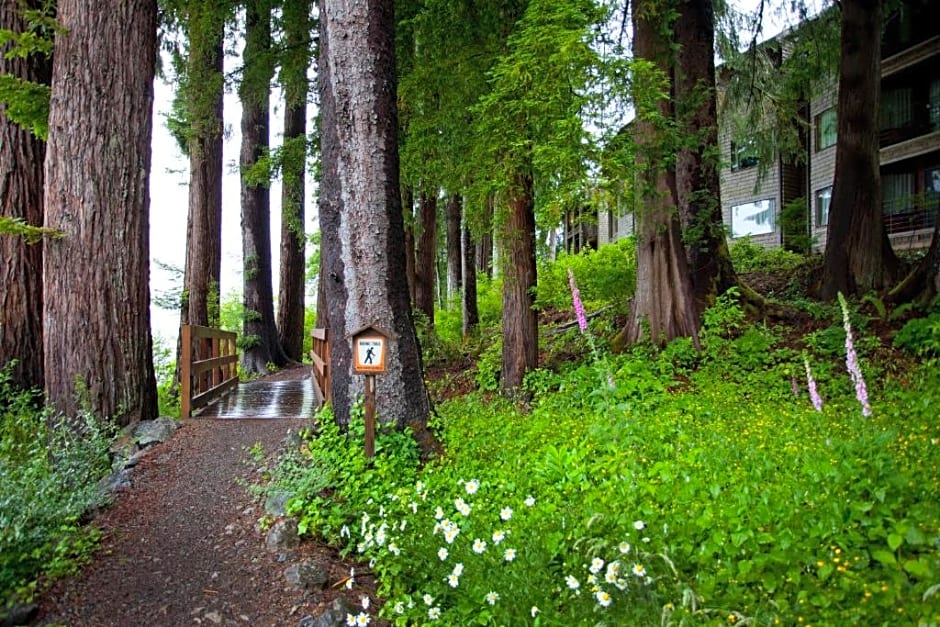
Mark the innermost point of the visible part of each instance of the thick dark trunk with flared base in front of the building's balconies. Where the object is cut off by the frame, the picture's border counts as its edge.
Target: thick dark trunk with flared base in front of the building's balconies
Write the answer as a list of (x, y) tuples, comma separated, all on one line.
[(858, 254)]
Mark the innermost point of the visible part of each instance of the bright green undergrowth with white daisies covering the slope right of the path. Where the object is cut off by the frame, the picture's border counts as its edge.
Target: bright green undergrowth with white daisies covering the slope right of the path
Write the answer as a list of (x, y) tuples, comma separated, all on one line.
[(658, 487)]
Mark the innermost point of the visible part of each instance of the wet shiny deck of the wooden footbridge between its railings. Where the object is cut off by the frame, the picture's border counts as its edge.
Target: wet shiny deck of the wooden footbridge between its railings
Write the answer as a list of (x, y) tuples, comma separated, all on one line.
[(266, 399)]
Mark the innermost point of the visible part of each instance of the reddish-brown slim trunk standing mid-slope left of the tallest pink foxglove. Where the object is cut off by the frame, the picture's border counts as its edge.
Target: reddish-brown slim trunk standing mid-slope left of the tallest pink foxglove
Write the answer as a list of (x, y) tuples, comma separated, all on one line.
[(517, 264)]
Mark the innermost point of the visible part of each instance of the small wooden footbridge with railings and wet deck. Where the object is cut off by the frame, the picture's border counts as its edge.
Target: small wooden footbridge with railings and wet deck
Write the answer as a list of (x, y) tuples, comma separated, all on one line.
[(209, 383)]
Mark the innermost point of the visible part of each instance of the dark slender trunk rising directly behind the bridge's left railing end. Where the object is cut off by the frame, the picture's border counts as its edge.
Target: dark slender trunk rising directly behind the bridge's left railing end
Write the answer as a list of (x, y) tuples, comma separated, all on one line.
[(260, 342)]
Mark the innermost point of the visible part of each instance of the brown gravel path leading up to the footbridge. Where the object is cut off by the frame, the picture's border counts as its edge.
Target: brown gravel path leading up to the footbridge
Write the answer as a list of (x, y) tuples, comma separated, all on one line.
[(180, 547)]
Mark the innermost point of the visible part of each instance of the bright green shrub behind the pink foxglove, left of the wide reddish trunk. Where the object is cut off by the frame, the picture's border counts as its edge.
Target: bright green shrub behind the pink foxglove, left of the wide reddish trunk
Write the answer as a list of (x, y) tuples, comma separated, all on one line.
[(606, 276)]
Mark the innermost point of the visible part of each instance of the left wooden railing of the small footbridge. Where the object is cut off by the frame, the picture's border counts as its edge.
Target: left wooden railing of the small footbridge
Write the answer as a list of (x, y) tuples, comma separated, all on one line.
[(208, 368)]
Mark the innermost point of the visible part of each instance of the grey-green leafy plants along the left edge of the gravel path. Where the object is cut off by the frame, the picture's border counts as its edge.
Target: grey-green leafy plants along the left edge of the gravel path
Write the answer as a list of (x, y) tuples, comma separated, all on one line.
[(49, 470)]
